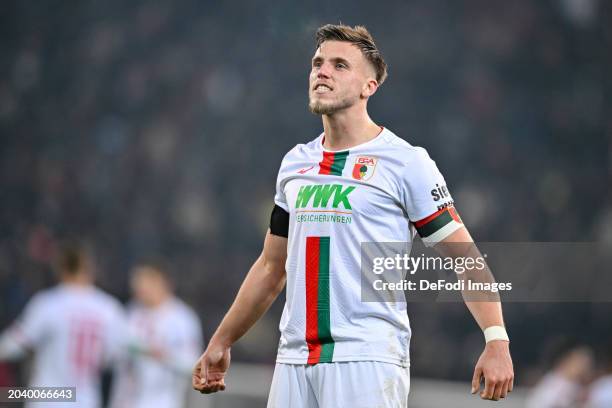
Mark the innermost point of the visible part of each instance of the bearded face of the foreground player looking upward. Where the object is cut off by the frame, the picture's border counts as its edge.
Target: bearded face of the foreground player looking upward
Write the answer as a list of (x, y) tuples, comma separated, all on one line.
[(339, 75)]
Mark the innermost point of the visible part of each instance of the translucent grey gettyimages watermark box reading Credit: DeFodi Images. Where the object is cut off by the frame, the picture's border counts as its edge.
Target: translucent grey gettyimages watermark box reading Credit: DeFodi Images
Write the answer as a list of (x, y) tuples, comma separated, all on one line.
[(490, 271)]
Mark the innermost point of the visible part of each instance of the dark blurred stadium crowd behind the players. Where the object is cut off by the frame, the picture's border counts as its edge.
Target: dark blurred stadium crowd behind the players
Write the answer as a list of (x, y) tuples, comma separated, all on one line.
[(152, 127)]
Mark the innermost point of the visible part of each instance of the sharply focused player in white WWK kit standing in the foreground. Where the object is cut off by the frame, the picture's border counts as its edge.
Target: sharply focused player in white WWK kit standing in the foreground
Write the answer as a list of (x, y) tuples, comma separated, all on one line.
[(357, 182)]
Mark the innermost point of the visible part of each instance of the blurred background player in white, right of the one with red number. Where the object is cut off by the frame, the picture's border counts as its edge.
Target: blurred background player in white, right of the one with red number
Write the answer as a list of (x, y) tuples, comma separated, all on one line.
[(164, 337)]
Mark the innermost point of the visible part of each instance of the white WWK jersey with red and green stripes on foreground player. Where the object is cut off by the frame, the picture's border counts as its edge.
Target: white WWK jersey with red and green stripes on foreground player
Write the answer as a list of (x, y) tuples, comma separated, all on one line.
[(384, 190)]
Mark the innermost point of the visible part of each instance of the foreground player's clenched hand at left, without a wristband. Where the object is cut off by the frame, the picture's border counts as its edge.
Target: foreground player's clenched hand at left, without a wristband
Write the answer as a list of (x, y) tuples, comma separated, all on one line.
[(209, 372)]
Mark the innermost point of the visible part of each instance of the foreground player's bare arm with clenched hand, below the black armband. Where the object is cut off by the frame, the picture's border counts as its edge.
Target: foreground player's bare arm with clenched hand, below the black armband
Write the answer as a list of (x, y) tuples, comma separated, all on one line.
[(260, 288)]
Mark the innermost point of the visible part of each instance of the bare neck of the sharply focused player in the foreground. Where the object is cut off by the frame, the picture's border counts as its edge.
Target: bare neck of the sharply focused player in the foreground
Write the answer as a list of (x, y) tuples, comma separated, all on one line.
[(348, 127)]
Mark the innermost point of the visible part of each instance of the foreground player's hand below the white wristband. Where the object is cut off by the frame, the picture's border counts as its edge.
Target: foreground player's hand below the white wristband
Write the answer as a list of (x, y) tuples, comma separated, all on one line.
[(495, 365)]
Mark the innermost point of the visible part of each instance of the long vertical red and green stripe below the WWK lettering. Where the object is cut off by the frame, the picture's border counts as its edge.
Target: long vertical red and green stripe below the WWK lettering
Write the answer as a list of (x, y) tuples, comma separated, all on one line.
[(318, 317)]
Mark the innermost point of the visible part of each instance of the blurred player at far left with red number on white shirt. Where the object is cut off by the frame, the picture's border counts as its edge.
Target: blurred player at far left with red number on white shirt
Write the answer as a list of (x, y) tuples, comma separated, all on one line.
[(73, 330)]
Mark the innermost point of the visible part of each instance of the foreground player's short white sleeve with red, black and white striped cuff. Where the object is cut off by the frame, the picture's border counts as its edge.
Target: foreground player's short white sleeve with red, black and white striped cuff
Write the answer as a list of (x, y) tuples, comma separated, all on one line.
[(427, 200)]
